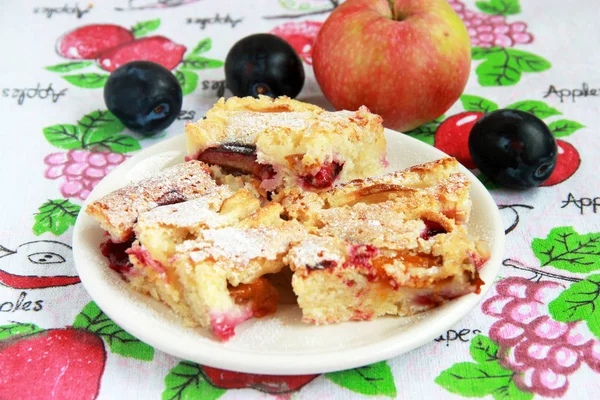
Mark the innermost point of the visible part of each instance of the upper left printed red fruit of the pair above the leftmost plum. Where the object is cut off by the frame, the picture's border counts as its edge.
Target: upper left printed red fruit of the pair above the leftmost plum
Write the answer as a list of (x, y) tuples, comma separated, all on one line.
[(87, 42)]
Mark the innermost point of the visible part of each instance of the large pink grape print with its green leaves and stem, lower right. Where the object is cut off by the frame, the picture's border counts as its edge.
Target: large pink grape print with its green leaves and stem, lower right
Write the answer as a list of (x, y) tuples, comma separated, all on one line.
[(546, 326)]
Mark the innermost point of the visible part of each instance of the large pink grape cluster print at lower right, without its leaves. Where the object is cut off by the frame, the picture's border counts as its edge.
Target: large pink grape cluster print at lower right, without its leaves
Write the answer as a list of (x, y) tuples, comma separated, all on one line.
[(542, 351)]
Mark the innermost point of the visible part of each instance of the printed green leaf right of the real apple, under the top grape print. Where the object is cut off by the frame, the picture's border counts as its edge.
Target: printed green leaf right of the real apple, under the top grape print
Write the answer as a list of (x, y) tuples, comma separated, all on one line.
[(505, 66)]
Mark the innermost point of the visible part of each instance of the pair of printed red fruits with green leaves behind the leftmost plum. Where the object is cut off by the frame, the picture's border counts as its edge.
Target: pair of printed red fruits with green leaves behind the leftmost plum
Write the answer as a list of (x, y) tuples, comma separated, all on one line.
[(110, 46)]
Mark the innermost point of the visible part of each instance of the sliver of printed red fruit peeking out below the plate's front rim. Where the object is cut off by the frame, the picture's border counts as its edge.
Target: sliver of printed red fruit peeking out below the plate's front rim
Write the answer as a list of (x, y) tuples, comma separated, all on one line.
[(265, 383)]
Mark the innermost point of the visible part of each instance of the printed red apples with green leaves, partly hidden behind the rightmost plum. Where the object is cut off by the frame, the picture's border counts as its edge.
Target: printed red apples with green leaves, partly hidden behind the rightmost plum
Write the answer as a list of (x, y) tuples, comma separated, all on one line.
[(451, 134)]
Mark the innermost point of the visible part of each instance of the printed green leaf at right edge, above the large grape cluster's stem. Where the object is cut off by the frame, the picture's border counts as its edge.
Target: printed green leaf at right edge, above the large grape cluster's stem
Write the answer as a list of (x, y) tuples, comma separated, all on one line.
[(568, 250)]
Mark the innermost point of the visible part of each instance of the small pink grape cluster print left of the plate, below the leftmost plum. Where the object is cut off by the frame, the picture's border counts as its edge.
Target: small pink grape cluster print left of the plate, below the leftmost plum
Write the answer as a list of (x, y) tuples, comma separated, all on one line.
[(81, 170)]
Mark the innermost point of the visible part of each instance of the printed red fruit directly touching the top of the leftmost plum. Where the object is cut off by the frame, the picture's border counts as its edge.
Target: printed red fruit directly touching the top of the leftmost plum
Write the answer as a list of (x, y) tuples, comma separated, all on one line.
[(158, 49)]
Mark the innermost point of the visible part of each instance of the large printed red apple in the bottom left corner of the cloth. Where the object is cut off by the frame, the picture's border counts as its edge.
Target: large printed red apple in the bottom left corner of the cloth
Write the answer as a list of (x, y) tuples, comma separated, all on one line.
[(58, 363)]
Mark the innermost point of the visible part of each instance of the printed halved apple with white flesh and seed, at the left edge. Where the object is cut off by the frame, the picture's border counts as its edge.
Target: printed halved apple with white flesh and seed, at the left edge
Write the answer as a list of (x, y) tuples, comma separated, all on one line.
[(37, 265)]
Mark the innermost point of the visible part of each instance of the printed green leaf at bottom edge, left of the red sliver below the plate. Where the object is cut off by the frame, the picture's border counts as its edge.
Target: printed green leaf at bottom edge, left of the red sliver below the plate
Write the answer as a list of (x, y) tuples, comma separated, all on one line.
[(186, 382)]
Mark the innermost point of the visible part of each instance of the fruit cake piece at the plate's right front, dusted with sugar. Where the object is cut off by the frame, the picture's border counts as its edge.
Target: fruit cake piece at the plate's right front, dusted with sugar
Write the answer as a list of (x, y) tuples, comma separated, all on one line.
[(392, 245)]
